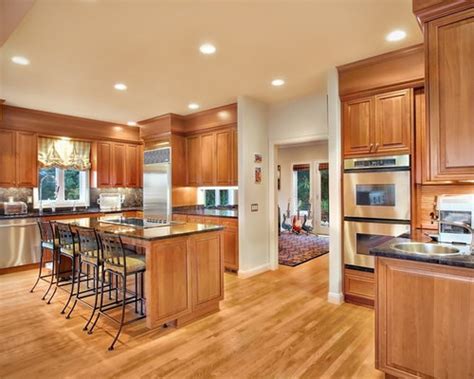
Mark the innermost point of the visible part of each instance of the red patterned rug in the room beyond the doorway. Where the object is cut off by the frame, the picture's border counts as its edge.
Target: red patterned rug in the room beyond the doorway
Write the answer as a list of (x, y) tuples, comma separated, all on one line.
[(295, 249)]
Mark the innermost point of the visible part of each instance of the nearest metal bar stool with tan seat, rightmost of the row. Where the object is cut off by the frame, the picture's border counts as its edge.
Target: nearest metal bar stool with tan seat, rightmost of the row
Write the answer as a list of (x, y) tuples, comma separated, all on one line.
[(121, 264)]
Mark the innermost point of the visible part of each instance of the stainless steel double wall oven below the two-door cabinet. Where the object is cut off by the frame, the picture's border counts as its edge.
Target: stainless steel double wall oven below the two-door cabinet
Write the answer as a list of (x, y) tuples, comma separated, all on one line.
[(376, 205)]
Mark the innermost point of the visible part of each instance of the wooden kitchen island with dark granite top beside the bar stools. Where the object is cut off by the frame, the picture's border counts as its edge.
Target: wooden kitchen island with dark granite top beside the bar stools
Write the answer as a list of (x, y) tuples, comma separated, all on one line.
[(184, 267)]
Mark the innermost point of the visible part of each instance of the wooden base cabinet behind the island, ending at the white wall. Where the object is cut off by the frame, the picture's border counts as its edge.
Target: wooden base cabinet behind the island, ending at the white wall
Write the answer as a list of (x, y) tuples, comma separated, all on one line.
[(230, 236)]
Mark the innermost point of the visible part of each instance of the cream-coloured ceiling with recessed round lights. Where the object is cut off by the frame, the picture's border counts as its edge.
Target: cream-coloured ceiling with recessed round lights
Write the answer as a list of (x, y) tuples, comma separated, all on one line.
[(79, 48)]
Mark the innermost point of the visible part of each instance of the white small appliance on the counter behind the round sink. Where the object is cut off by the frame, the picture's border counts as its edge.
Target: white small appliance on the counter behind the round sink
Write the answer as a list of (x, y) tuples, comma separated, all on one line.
[(457, 209)]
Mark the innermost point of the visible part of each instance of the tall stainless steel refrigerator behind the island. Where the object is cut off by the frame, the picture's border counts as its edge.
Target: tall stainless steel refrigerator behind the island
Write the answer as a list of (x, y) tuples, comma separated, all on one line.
[(157, 182)]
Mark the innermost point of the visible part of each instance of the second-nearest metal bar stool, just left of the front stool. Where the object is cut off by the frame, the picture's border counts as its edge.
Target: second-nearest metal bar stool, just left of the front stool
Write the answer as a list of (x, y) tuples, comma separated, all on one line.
[(89, 255)]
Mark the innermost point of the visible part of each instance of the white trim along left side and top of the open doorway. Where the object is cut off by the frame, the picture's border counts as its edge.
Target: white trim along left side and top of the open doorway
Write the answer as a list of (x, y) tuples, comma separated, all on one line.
[(272, 189)]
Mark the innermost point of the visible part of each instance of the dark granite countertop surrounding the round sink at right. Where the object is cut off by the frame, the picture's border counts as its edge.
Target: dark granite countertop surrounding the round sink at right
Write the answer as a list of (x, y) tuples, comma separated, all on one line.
[(386, 250)]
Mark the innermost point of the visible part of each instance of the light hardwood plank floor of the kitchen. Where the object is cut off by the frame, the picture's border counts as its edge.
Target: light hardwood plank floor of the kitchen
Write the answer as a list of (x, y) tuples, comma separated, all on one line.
[(277, 324)]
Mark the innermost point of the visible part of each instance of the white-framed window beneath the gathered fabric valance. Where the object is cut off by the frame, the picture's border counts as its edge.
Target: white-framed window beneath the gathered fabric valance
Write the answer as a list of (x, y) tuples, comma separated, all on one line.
[(62, 188)]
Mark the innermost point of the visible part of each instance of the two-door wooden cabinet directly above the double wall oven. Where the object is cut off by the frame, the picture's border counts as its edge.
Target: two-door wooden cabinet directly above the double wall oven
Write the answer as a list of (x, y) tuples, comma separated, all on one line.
[(379, 124)]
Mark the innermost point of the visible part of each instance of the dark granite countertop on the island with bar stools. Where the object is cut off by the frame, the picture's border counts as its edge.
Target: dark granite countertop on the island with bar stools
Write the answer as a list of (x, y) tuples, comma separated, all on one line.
[(149, 234)]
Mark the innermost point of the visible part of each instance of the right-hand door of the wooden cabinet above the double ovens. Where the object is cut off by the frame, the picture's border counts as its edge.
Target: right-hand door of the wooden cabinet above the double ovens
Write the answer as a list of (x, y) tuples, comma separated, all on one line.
[(393, 122)]
